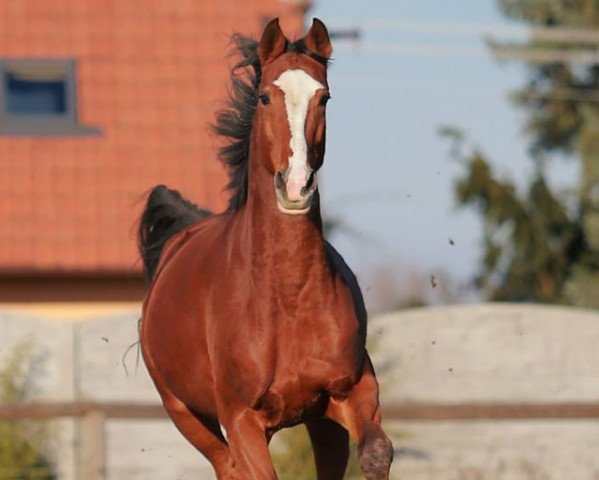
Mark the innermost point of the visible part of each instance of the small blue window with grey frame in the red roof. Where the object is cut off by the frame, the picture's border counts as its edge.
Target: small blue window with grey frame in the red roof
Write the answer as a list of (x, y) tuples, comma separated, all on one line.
[(38, 97)]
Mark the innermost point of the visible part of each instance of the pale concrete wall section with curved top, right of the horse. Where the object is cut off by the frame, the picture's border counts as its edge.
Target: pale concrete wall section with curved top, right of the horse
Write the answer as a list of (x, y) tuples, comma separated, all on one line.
[(497, 352)]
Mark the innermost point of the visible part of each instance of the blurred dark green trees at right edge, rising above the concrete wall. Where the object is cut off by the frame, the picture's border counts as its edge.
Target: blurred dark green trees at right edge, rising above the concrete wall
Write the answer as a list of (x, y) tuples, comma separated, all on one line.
[(542, 244)]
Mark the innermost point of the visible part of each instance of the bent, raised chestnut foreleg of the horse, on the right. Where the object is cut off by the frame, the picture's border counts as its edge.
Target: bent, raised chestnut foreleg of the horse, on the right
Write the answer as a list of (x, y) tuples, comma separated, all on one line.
[(360, 413)]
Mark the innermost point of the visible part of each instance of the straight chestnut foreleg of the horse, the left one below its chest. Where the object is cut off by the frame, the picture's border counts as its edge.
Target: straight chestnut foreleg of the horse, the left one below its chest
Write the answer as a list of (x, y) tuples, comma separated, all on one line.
[(248, 444)]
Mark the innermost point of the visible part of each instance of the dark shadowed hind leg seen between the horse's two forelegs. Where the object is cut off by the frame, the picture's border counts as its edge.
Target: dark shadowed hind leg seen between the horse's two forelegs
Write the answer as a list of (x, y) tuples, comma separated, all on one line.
[(330, 442)]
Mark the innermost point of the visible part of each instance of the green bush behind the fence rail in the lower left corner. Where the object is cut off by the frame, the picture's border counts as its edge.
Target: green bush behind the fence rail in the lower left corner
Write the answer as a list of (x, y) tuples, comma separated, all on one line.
[(21, 443)]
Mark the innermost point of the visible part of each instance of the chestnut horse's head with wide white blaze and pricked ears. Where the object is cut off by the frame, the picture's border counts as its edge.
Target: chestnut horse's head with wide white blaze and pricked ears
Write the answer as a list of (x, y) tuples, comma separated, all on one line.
[(290, 115)]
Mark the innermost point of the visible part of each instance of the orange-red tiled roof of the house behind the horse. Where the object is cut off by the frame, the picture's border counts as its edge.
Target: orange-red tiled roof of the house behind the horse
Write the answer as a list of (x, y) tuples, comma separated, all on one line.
[(150, 74)]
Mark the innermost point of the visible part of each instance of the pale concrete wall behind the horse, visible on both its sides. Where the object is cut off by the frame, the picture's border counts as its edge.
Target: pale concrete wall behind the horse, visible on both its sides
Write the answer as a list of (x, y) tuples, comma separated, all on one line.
[(450, 354)]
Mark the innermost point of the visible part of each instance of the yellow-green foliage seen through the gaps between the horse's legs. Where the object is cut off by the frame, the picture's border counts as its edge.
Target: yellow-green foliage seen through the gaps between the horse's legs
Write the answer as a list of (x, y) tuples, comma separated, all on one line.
[(294, 459)]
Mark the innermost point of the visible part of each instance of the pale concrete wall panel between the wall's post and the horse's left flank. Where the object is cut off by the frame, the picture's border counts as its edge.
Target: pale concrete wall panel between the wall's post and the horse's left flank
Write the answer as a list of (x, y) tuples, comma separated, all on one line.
[(137, 450)]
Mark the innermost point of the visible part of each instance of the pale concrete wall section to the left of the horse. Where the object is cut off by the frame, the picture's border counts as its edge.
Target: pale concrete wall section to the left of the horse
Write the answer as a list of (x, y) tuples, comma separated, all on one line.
[(84, 360)]
